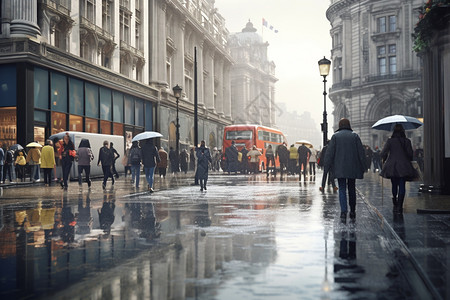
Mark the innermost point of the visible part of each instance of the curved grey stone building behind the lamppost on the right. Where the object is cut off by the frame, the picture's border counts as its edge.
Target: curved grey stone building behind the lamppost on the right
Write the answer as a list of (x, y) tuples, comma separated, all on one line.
[(375, 72)]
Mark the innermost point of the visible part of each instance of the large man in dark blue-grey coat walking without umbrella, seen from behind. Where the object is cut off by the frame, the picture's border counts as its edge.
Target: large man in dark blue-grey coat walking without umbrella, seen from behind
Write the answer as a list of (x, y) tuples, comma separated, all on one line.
[(345, 154)]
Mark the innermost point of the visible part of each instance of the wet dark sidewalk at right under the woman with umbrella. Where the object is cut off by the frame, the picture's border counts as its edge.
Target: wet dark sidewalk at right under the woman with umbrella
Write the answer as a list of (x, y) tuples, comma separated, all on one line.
[(425, 237)]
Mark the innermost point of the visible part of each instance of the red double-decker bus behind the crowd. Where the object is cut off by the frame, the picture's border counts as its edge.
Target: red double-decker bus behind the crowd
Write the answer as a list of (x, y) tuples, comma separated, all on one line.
[(249, 135)]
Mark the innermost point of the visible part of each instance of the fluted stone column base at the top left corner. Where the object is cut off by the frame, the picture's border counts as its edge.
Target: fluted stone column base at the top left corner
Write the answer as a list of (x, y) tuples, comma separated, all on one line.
[(24, 18)]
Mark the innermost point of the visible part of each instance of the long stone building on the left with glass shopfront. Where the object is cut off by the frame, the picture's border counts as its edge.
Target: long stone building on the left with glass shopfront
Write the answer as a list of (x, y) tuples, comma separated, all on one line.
[(108, 66)]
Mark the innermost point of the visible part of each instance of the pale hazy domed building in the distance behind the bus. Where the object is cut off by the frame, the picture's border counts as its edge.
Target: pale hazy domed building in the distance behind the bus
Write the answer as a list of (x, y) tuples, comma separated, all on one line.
[(252, 79)]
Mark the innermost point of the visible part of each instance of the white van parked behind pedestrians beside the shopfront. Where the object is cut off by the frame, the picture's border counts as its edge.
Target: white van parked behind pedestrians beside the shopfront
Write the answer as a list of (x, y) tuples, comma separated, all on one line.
[(96, 141)]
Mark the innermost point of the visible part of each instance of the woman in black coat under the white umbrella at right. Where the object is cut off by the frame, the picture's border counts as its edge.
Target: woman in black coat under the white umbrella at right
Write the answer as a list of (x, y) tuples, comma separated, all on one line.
[(397, 154)]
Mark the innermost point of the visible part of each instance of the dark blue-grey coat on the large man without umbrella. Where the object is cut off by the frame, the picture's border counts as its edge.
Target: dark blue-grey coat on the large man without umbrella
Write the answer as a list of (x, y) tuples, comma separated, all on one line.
[(345, 154)]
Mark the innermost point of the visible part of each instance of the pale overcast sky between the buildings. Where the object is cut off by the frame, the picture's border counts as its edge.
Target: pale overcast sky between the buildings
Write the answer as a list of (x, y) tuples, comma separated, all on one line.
[(303, 38)]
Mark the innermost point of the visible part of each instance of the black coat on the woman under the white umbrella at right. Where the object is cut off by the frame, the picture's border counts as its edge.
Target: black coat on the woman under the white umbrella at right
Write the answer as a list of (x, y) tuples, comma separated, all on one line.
[(397, 153)]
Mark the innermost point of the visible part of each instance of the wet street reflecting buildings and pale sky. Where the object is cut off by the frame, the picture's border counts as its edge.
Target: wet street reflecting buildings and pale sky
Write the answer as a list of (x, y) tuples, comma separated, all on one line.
[(246, 237)]
